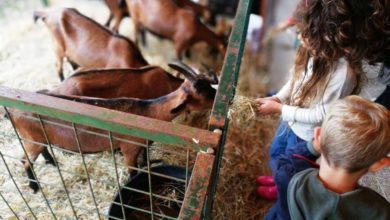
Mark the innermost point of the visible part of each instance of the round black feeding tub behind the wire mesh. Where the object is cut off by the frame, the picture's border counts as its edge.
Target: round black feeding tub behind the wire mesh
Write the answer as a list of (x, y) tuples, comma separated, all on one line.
[(167, 186)]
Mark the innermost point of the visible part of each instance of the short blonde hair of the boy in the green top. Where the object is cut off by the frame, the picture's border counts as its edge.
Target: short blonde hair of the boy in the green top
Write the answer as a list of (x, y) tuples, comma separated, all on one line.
[(355, 134)]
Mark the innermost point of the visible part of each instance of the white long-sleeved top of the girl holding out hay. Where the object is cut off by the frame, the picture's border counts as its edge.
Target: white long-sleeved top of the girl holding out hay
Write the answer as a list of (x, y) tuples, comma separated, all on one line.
[(303, 120)]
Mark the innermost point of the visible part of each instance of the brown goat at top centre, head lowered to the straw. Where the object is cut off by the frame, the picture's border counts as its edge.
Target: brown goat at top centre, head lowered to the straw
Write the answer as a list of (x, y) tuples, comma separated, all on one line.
[(170, 21)]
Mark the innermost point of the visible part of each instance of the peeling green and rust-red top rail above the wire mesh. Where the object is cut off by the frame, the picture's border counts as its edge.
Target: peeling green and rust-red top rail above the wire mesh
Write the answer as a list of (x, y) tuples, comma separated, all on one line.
[(119, 122)]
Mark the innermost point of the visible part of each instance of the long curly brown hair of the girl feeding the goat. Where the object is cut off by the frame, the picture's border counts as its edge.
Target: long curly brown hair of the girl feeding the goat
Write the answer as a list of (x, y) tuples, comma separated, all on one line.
[(356, 30)]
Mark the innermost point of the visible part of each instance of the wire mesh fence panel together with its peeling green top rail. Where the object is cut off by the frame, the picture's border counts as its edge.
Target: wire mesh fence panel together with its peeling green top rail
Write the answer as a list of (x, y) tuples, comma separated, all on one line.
[(51, 168)]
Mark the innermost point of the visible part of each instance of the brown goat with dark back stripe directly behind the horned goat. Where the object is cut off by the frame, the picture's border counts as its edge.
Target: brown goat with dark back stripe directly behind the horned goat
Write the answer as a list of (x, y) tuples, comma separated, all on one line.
[(145, 83)]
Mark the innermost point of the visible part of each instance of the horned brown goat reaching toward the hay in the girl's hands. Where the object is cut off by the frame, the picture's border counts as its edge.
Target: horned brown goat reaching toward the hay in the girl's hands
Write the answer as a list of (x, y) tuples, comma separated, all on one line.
[(194, 94)]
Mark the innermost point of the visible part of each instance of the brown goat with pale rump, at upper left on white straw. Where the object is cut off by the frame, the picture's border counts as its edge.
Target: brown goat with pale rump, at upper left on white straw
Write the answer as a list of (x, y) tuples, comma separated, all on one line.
[(86, 43)]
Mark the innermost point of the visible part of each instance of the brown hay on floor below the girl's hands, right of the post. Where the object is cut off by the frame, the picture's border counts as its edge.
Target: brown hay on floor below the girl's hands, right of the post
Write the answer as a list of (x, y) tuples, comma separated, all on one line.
[(245, 157)]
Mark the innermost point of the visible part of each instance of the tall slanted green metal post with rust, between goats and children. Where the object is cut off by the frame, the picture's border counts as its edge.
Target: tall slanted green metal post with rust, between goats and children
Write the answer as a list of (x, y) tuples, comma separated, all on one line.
[(226, 92)]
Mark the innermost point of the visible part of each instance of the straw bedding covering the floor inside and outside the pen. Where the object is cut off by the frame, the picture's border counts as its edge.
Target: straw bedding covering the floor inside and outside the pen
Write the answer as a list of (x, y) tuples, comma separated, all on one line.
[(27, 61)]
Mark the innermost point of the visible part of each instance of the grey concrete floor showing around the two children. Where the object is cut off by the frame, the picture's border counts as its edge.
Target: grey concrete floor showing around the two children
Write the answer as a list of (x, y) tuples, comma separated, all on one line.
[(281, 60)]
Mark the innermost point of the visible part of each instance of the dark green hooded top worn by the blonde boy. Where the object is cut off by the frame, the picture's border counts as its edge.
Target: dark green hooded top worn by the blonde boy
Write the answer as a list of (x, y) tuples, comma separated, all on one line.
[(309, 199)]
